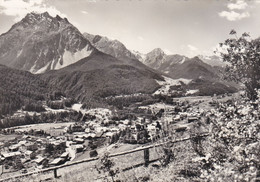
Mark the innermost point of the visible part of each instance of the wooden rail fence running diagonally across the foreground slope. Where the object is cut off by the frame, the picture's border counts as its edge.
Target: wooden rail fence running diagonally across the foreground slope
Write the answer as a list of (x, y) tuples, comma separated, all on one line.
[(146, 158)]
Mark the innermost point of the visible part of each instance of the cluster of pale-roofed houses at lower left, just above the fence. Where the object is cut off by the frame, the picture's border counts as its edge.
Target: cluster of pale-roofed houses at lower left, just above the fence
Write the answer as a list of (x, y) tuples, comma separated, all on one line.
[(32, 153)]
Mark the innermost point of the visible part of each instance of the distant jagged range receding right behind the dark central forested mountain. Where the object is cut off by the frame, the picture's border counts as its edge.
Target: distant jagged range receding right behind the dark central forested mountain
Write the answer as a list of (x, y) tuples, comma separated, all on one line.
[(175, 66)]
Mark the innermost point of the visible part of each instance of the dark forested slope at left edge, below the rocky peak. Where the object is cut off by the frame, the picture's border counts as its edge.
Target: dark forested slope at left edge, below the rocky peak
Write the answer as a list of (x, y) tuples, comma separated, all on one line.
[(21, 88)]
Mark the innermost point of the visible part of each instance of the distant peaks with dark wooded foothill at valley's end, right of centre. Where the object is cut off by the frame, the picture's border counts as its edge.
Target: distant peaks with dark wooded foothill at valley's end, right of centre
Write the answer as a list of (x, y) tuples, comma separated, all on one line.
[(205, 72)]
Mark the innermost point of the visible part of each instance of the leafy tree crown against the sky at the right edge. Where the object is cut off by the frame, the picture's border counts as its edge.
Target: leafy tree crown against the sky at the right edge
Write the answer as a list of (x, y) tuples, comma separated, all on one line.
[(243, 57)]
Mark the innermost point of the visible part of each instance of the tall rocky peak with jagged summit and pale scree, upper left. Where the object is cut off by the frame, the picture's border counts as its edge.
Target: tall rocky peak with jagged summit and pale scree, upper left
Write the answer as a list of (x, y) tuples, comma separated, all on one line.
[(40, 42)]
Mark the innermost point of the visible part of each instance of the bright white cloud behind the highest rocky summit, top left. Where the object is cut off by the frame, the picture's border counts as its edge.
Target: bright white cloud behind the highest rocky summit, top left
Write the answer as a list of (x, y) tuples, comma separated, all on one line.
[(19, 8)]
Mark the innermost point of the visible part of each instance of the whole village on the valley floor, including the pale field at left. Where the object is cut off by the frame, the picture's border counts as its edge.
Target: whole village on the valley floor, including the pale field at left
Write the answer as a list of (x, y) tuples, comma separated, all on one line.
[(37, 146)]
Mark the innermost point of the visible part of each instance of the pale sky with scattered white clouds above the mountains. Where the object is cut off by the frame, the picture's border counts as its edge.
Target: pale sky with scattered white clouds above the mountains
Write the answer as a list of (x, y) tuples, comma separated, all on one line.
[(186, 27)]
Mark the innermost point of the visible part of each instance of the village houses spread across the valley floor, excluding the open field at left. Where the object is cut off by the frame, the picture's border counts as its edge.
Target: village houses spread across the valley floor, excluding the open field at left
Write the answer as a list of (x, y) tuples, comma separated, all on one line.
[(37, 151)]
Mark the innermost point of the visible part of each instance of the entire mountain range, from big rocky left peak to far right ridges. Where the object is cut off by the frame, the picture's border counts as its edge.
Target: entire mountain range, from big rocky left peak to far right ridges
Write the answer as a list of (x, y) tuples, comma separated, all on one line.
[(86, 66)]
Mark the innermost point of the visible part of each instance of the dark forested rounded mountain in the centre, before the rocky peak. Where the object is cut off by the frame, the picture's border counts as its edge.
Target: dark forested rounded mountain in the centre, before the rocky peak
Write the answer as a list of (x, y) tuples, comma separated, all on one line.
[(101, 75)]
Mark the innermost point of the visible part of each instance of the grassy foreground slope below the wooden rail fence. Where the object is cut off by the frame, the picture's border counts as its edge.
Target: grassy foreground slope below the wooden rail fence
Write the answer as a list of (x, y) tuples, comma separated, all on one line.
[(86, 171)]
